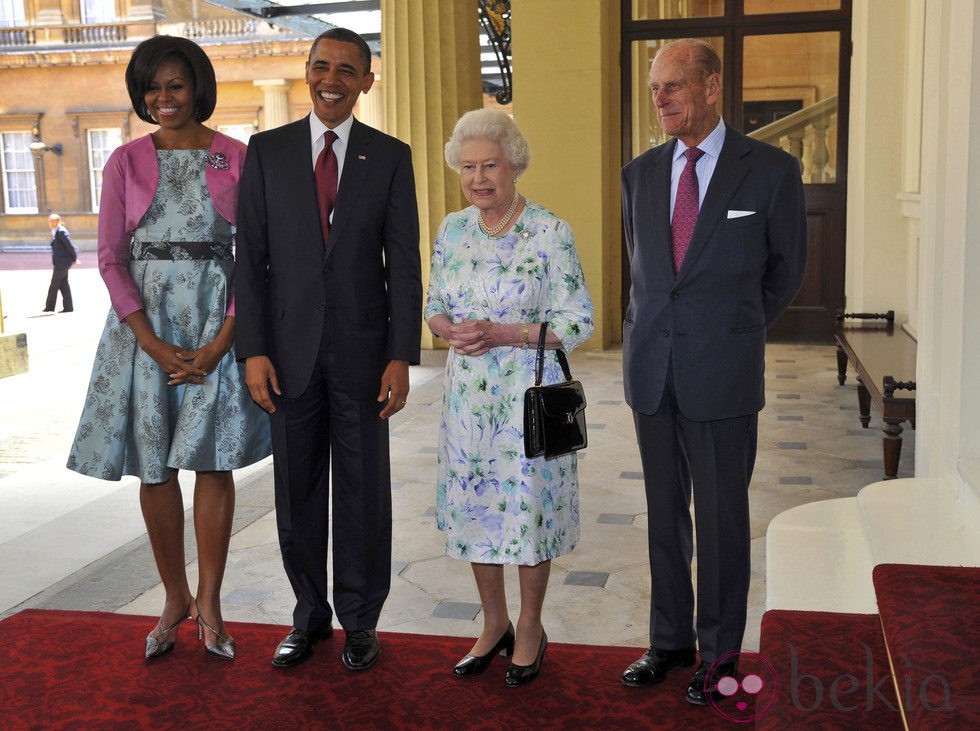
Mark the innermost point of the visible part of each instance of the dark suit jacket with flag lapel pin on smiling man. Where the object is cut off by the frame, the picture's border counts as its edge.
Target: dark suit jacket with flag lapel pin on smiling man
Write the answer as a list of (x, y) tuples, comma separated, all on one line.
[(365, 285)]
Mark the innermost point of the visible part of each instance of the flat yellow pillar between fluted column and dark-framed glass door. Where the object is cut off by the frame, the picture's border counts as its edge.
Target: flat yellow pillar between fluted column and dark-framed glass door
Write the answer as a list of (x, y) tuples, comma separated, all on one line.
[(567, 102)]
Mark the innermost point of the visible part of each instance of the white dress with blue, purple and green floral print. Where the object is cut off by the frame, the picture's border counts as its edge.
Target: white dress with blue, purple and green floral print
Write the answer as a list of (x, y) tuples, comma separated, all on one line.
[(494, 504)]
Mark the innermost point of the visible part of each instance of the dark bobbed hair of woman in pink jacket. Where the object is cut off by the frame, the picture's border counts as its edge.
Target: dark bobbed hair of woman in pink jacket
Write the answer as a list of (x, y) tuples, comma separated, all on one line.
[(146, 60)]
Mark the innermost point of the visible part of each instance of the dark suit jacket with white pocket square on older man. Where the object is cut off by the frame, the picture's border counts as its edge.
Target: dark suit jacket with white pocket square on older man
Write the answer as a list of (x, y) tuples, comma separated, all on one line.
[(738, 276)]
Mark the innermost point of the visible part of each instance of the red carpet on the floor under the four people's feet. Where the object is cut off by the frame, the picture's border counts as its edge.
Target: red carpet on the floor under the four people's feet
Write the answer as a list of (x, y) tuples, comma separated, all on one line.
[(61, 670)]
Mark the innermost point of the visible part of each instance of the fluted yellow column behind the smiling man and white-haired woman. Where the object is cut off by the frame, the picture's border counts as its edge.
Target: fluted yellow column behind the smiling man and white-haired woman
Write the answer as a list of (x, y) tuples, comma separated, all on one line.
[(430, 62)]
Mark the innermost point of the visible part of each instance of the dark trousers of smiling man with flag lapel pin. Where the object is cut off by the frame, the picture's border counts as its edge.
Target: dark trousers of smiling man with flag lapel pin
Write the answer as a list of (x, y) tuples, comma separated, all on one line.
[(326, 424)]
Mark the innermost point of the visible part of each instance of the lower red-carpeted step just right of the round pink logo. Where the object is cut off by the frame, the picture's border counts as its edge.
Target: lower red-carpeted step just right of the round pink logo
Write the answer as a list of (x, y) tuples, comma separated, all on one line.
[(832, 671)]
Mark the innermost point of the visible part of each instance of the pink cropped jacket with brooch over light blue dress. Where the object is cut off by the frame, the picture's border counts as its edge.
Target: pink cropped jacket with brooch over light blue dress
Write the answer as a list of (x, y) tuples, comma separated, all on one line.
[(129, 181)]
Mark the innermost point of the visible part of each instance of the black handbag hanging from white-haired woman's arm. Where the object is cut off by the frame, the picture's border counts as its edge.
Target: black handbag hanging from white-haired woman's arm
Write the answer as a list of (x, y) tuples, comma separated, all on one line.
[(554, 415)]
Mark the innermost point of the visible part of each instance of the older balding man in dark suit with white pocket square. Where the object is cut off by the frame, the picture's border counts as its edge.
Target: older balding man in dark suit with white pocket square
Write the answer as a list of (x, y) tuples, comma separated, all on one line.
[(715, 228)]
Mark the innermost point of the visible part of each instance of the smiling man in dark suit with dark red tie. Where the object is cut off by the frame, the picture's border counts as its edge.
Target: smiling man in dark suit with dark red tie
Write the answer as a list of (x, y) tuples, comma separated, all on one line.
[(329, 302)]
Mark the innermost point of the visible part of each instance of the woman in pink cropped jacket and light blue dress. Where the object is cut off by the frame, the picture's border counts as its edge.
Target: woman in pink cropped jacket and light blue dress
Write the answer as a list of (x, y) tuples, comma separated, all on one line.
[(167, 392)]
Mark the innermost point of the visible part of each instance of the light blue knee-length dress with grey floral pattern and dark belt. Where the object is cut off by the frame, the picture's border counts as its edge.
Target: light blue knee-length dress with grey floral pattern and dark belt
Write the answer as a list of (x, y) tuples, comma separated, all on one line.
[(133, 423)]
